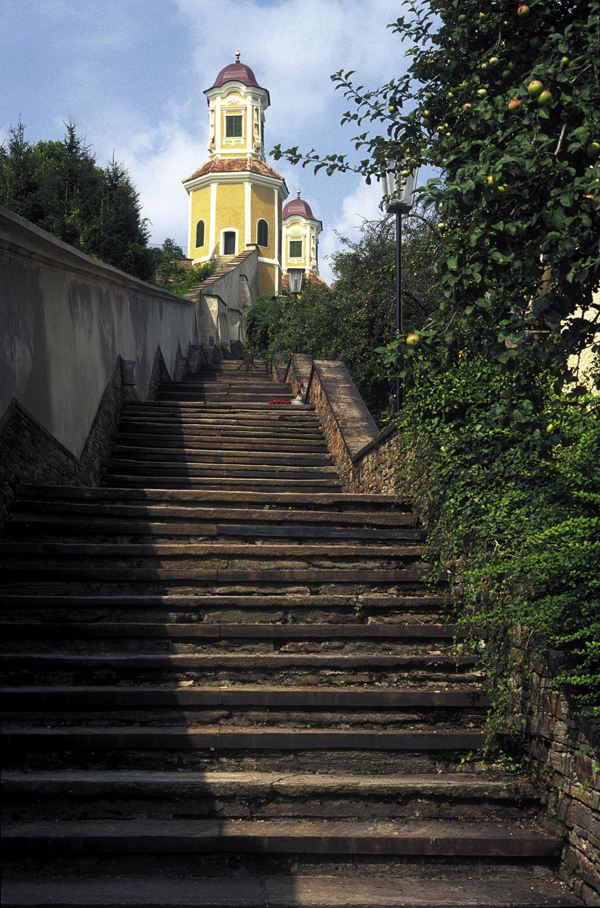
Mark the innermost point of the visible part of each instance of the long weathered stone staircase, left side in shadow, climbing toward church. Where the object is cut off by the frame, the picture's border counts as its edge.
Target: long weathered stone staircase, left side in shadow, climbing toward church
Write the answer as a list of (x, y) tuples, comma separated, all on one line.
[(227, 686)]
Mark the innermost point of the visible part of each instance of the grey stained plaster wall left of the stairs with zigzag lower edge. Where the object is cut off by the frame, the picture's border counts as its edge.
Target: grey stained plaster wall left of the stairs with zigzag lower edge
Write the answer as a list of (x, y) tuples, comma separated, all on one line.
[(66, 318)]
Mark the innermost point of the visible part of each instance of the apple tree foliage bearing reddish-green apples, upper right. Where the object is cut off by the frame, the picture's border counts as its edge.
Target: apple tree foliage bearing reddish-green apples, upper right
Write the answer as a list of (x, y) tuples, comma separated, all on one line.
[(520, 196)]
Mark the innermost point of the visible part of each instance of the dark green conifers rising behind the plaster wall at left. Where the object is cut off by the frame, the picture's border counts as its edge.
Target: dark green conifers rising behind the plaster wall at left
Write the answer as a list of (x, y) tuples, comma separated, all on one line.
[(59, 187)]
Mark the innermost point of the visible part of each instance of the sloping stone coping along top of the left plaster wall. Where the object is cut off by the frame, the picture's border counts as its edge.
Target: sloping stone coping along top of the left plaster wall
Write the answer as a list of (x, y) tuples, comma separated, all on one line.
[(22, 240)]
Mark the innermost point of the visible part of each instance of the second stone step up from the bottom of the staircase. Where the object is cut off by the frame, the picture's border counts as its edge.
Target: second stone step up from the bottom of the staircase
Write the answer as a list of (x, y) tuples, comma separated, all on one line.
[(428, 838)]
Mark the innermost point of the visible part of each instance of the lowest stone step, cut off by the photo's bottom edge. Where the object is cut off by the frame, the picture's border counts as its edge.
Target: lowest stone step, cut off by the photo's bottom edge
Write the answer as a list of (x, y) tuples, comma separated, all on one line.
[(343, 891)]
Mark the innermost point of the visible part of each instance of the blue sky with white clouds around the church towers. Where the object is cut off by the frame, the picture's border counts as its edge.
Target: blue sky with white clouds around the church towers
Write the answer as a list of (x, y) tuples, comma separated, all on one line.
[(131, 74)]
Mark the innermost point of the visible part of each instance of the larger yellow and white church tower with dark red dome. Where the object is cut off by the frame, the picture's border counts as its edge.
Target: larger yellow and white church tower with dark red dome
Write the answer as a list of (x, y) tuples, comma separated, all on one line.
[(236, 198)]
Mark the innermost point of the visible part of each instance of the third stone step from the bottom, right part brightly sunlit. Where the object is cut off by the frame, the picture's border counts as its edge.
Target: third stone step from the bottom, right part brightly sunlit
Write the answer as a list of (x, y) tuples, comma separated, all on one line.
[(228, 794)]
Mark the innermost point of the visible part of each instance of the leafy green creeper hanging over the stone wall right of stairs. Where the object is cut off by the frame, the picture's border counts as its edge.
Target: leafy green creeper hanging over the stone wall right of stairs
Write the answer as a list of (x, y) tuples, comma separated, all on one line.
[(519, 532)]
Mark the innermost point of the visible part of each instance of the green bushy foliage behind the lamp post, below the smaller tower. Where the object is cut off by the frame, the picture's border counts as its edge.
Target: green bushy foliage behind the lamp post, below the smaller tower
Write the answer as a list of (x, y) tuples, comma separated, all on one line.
[(350, 319)]
